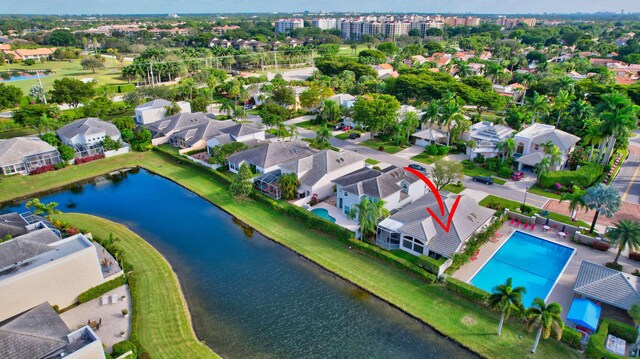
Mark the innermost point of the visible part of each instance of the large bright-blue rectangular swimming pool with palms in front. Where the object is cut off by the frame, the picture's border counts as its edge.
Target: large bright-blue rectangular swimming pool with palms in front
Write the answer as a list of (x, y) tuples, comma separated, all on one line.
[(531, 261)]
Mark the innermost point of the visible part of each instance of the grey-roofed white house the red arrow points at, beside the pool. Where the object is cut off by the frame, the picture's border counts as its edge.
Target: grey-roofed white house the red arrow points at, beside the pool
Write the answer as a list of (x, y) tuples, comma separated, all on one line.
[(413, 230)]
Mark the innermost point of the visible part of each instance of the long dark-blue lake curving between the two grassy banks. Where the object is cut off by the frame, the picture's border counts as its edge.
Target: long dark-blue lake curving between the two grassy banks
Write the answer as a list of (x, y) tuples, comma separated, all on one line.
[(250, 297)]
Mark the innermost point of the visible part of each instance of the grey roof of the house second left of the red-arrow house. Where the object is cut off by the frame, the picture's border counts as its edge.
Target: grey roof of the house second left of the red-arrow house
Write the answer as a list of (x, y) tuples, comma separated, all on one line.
[(312, 169)]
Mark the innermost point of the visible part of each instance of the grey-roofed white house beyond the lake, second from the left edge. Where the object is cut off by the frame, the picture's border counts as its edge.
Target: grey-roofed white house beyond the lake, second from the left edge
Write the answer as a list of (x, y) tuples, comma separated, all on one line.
[(87, 131)]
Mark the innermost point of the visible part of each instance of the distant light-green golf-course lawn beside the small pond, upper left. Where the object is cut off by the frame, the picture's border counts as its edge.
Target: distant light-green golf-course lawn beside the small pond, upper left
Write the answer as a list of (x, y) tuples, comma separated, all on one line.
[(110, 75)]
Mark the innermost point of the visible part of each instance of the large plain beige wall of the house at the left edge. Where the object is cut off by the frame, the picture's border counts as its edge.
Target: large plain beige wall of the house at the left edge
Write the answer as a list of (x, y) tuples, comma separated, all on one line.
[(58, 282)]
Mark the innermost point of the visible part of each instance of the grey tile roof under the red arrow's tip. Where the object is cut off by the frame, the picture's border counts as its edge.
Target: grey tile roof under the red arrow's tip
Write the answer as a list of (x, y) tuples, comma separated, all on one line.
[(417, 222)]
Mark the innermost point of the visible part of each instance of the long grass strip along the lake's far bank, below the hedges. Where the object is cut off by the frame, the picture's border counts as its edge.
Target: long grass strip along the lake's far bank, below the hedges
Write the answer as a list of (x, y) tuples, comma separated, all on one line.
[(472, 325)]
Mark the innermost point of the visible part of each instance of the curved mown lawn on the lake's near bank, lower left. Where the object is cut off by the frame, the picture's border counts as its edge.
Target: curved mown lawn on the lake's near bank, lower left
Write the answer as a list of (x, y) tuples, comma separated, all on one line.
[(160, 319)]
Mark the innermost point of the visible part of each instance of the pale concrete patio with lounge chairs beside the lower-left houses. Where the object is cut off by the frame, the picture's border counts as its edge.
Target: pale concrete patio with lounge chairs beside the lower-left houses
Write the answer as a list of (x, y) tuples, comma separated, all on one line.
[(113, 322)]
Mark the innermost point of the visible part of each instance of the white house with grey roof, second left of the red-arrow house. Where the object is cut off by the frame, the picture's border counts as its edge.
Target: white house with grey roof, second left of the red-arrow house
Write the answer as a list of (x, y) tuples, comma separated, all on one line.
[(317, 171)]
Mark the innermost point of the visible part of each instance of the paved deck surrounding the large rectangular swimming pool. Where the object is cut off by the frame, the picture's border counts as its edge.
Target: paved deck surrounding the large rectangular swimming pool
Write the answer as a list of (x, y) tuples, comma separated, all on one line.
[(562, 292)]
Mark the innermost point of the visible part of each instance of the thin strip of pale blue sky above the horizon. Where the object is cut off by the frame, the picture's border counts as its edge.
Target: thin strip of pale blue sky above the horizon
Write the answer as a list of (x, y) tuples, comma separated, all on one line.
[(63, 7)]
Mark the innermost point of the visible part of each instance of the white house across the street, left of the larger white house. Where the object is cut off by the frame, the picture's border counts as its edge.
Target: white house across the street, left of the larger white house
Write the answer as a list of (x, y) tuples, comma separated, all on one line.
[(486, 135)]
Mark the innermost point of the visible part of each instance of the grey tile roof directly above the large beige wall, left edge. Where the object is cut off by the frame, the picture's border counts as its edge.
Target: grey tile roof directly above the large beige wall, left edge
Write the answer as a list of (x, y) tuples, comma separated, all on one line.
[(26, 246)]
